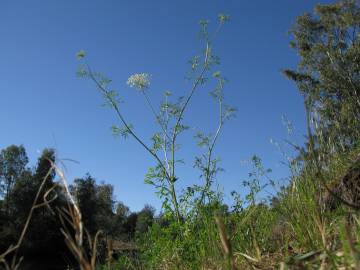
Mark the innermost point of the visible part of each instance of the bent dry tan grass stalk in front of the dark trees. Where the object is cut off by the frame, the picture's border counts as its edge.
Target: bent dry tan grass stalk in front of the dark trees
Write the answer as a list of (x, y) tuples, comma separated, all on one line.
[(72, 225)]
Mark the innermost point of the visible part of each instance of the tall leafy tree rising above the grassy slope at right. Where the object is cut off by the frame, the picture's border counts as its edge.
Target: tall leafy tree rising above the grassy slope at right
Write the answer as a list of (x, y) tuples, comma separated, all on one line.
[(328, 43)]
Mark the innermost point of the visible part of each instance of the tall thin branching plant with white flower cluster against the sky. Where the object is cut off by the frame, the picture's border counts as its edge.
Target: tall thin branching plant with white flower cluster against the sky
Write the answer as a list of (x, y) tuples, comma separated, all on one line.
[(169, 117)]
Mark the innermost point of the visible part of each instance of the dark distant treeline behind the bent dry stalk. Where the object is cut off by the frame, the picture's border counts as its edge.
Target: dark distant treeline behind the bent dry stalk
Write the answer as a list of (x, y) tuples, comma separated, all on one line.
[(19, 185)]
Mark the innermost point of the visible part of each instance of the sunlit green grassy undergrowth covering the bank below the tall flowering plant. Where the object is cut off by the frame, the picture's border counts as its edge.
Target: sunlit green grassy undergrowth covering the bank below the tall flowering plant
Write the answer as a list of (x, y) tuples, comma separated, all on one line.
[(293, 231)]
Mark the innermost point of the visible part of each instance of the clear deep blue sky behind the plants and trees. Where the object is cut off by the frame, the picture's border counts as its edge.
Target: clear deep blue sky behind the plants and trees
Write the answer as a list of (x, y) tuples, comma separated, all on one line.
[(43, 103)]
